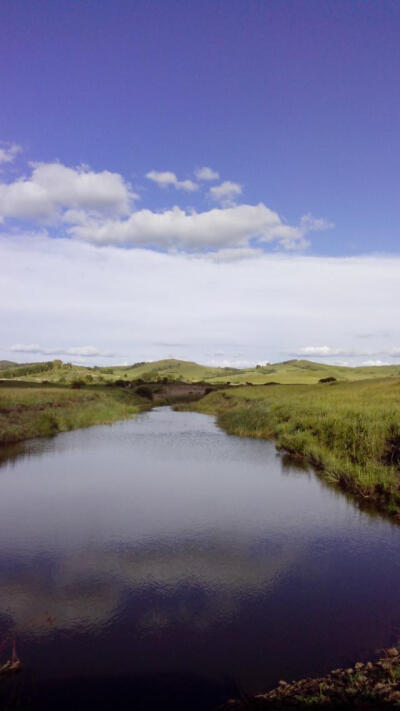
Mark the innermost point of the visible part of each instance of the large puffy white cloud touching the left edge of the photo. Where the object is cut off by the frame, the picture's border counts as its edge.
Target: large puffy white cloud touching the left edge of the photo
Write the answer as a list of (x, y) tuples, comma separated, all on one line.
[(54, 188)]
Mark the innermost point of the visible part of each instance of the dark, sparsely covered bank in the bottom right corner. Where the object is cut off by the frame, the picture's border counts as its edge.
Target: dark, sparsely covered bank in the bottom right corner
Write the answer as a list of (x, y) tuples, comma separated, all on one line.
[(363, 686)]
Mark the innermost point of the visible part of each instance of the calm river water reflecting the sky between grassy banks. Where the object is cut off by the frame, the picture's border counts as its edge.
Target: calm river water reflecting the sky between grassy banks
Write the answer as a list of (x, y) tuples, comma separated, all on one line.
[(161, 562)]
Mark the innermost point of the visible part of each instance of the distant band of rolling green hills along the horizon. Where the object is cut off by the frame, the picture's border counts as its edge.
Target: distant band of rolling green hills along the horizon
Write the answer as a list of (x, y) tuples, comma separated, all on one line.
[(292, 371)]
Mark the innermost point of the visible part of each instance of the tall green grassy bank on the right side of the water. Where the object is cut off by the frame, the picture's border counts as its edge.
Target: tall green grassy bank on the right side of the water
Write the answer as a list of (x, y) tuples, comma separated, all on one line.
[(350, 431)]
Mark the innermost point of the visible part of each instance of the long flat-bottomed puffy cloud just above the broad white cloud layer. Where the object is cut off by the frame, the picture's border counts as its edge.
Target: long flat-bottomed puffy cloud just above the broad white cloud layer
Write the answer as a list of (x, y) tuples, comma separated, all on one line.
[(212, 230)]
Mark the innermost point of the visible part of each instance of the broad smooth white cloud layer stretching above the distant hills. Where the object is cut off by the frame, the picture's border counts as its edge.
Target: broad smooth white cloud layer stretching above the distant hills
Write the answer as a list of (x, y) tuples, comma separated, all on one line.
[(134, 301)]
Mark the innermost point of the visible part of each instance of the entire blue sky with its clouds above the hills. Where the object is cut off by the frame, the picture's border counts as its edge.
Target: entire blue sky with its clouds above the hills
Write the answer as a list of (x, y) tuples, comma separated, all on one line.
[(213, 180)]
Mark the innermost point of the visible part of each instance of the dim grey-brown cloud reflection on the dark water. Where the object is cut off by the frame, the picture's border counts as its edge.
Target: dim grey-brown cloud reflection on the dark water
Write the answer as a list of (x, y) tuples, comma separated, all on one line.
[(86, 588)]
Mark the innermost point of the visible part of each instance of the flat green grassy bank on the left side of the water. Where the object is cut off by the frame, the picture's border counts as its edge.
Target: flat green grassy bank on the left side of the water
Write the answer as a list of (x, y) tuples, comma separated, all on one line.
[(28, 410)]
